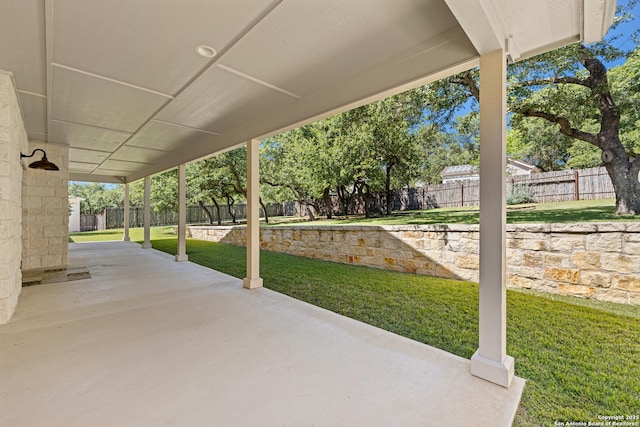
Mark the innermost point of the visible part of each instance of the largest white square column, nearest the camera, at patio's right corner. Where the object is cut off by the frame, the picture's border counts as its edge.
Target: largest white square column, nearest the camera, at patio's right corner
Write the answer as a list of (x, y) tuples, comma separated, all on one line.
[(491, 361)]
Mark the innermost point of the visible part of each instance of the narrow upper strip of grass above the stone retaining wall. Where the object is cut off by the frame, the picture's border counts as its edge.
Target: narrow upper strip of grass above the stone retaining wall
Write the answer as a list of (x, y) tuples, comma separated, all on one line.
[(565, 212)]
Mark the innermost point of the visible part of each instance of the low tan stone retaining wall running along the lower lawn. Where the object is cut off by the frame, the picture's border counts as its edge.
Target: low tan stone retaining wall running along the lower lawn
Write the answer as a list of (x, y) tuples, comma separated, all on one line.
[(590, 260)]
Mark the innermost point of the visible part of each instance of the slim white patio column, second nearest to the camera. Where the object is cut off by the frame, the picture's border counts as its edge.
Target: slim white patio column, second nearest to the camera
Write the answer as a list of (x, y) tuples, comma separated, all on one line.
[(253, 279)]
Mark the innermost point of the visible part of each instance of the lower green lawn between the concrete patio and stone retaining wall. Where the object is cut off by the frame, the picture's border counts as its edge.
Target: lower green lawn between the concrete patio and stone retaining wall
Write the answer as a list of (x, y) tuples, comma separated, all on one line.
[(580, 358)]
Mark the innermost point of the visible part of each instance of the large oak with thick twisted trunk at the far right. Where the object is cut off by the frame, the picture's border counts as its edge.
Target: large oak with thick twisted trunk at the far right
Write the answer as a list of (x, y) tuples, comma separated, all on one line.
[(571, 89)]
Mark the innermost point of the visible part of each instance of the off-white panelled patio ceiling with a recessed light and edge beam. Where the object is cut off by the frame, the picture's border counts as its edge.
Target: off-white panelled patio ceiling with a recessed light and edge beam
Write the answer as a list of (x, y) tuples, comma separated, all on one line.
[(120, 83)]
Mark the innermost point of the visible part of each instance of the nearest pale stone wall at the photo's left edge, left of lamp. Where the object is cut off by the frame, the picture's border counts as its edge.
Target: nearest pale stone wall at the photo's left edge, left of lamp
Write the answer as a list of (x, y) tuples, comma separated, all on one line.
[(13, 140)]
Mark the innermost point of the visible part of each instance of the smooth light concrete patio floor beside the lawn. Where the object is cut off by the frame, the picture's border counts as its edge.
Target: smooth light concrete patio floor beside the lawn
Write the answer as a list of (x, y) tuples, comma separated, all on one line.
[(148, 341)]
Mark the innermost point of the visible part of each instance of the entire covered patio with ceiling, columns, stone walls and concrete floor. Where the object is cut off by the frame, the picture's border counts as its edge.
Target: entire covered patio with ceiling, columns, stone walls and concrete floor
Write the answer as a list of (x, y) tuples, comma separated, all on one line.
[(116, 92)]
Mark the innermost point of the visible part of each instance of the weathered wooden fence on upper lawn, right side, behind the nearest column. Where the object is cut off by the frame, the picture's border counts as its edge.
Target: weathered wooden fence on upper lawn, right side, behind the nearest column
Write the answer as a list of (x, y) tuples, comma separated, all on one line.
[(559, 186)]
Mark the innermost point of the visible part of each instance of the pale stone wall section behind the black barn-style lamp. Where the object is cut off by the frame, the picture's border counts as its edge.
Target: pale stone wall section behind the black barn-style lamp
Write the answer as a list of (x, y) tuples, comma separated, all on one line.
[(45, 211)]
